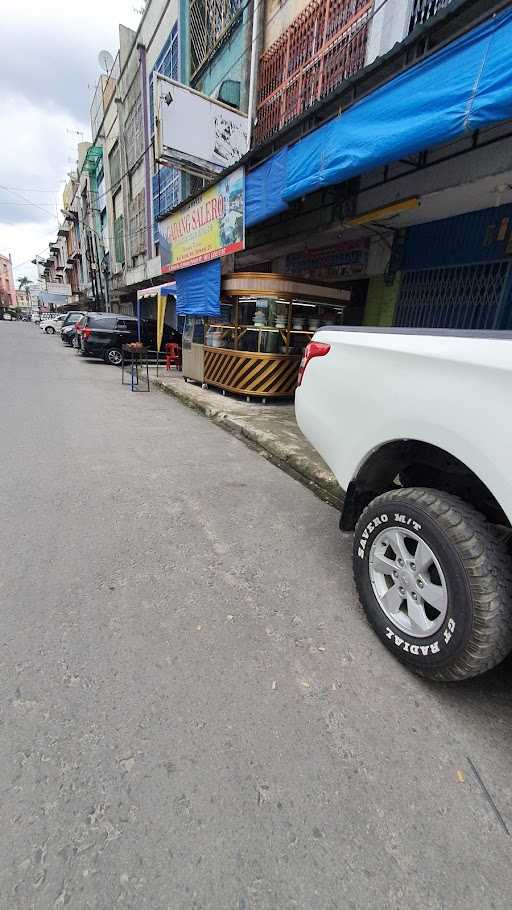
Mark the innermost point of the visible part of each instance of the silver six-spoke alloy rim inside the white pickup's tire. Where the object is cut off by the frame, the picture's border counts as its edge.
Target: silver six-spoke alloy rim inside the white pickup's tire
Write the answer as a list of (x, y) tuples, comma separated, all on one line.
[(408, 582)]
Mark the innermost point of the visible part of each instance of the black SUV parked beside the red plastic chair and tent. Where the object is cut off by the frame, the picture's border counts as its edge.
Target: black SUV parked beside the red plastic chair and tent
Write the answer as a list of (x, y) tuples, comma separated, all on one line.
[(103, 335)]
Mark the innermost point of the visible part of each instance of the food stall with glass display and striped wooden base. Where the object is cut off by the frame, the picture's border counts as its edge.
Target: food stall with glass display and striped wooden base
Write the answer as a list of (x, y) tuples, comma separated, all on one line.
[(254, 348)]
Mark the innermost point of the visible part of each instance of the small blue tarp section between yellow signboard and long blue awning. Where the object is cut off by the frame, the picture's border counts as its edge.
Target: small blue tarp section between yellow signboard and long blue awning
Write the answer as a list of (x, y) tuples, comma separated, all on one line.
[(264, 188)]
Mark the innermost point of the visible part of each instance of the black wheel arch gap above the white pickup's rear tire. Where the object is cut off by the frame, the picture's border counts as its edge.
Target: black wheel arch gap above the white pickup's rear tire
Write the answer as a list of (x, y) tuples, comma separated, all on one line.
[(411, 462)]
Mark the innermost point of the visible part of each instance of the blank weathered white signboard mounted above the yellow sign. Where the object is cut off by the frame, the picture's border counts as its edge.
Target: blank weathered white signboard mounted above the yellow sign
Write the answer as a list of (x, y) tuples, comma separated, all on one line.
[(196, 133)]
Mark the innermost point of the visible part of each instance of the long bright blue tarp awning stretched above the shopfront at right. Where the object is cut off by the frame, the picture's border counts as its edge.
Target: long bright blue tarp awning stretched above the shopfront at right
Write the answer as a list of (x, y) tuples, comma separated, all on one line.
[(463, 87)]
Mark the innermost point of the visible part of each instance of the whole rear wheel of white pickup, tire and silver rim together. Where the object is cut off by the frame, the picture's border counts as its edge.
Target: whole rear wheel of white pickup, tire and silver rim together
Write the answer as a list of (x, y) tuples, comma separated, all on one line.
[(435, 582)]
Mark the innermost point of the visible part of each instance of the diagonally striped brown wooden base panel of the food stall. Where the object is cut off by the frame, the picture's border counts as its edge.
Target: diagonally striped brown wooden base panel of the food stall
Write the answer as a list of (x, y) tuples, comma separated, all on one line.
[(247, 373)]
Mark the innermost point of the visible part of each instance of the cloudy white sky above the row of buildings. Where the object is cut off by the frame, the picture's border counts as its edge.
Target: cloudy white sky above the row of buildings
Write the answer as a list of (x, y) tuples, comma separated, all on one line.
[(48, 72)]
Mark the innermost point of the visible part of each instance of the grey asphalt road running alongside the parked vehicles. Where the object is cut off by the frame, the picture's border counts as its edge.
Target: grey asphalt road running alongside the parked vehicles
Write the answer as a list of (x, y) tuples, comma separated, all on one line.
[(194, 712)]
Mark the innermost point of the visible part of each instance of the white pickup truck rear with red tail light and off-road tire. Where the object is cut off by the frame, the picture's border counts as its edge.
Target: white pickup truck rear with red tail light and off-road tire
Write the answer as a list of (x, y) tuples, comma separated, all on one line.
[(416, 426)]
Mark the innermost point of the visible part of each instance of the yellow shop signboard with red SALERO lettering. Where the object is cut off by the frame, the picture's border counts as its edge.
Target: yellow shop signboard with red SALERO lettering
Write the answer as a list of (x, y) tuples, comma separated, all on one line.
[(210, 226)]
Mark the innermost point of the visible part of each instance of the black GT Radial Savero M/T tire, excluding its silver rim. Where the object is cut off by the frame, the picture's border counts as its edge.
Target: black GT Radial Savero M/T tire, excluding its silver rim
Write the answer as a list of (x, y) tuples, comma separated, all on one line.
[(477, 630)]
